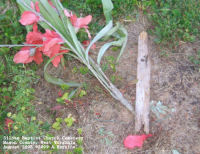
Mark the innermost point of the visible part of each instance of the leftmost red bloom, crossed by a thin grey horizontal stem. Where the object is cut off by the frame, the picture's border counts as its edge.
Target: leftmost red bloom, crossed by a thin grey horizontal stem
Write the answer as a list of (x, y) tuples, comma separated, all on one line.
[(28, 54)]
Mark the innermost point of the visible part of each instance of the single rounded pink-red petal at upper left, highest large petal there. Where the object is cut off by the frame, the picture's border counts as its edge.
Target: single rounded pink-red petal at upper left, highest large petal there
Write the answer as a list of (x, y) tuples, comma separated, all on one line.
[(28, 18)]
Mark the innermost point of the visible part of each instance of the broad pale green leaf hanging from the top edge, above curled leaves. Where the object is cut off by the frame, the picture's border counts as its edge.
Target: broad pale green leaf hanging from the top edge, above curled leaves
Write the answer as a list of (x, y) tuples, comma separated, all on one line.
[(107, 9)]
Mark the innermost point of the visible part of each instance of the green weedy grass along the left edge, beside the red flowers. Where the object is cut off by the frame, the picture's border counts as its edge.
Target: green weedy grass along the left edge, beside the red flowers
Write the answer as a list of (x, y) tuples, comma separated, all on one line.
[(16, 94)]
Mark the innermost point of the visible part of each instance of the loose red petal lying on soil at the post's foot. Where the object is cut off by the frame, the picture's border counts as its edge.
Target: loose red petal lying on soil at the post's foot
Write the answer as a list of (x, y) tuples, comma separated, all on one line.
[(135, 141)]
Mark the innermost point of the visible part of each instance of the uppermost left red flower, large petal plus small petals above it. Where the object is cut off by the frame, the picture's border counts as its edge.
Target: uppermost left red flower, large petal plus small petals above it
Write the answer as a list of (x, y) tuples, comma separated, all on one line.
[(28, 17)]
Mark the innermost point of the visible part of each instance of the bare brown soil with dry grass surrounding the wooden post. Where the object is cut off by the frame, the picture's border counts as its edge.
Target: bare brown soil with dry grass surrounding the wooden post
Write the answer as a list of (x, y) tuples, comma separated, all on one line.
[(105, 123)]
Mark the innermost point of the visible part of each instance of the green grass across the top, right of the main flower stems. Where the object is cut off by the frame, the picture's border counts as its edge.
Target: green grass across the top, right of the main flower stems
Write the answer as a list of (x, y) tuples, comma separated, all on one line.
[(172, 20)]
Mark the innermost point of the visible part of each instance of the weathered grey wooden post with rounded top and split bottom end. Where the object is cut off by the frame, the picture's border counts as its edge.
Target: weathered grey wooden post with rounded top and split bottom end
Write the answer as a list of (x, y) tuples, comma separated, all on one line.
[(143, 84)]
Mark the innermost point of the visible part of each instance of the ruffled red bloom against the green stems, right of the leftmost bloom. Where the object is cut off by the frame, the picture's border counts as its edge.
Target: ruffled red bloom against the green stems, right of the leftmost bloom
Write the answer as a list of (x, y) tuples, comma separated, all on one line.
[(52, 46)]
